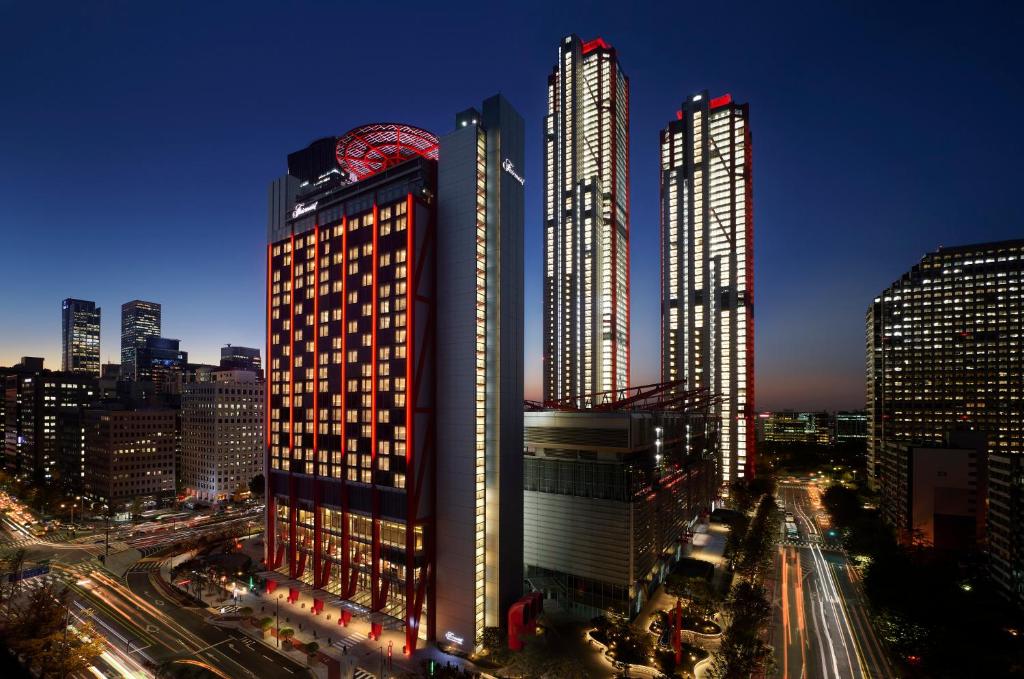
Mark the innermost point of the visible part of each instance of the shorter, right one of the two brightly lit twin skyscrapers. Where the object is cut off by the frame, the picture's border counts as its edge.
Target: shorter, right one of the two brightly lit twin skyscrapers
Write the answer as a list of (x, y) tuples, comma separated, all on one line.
[(708, 267)]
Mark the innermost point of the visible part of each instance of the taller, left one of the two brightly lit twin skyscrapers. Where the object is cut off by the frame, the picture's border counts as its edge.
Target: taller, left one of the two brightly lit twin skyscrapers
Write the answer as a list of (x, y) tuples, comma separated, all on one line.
[(586, 223)]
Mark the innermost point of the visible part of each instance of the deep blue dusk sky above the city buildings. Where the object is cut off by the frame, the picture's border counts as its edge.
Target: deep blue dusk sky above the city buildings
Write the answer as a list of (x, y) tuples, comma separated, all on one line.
[(138, 142)]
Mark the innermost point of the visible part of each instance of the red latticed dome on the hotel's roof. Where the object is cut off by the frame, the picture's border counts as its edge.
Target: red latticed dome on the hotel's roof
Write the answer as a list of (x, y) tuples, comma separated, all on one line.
[(371, 149)]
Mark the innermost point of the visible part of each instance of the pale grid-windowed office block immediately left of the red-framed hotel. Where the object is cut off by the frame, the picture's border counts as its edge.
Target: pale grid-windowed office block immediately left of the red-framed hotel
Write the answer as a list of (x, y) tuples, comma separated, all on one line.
[(223, 436)]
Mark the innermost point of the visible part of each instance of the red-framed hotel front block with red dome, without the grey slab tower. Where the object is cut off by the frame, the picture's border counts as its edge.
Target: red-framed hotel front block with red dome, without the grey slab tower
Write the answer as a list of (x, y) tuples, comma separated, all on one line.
[(351, 365)]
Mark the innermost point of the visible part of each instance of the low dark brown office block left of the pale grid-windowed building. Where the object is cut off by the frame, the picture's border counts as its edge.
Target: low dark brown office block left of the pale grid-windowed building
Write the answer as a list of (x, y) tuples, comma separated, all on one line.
[(130, 456)]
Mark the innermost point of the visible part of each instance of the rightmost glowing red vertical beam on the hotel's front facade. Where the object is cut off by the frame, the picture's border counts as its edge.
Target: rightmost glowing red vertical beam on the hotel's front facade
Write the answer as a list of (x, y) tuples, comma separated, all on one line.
[(412, 493)]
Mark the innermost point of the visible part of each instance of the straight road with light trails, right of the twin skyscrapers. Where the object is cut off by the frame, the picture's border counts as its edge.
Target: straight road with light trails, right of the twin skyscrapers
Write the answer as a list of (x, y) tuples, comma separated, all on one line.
[(822, 626)]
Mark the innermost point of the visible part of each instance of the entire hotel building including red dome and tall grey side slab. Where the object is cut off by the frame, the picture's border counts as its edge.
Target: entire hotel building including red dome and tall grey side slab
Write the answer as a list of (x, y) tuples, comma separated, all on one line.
[(395, 317)]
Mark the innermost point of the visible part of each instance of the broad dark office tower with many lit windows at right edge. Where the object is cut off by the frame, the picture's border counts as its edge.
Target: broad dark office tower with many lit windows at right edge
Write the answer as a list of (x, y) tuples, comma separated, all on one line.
[(950, 361)]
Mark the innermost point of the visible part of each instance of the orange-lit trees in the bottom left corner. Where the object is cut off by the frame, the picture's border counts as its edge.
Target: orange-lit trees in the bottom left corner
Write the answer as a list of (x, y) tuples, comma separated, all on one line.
[(40, 629)]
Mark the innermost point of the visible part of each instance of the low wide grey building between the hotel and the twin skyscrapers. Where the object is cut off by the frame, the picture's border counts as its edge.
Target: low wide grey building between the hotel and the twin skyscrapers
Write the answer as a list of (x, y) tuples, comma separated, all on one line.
[(611, 500)]
